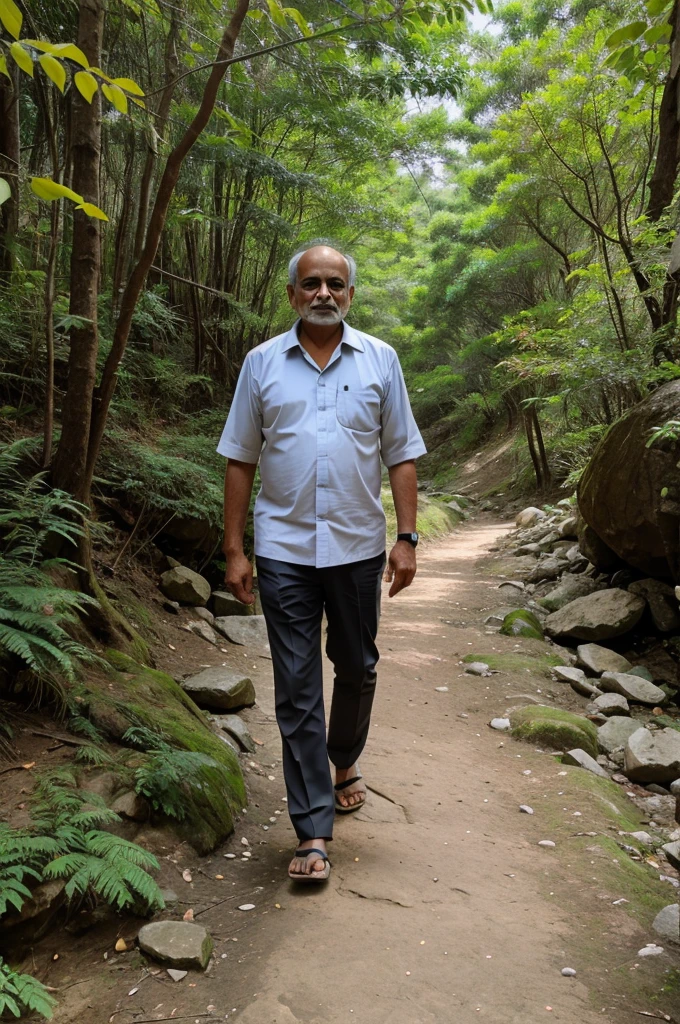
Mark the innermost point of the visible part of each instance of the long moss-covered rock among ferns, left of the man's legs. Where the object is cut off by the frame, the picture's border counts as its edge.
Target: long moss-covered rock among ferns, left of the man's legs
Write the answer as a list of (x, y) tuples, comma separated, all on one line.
[(145, 697)]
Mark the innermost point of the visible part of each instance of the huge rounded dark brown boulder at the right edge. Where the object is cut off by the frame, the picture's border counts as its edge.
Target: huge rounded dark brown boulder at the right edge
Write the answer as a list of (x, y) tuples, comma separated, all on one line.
[(630, 493)]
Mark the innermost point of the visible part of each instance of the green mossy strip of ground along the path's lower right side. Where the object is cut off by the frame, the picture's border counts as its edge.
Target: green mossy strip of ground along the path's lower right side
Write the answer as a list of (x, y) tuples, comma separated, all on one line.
[(594, 873)]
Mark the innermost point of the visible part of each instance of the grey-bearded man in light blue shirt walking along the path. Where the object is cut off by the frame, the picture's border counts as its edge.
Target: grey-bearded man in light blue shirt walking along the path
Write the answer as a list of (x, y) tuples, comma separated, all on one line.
[(319, 407)]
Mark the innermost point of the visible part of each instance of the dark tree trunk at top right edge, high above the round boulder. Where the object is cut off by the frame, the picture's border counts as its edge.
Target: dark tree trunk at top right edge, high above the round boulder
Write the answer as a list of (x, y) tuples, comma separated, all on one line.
[(662, 184)]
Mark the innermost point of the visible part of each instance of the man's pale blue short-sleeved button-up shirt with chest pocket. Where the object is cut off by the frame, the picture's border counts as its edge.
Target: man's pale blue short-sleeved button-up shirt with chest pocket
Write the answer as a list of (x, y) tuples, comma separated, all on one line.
[(320, 437)]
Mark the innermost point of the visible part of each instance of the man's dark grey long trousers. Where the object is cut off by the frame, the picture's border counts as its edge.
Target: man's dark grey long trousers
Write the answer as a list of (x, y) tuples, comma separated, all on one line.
[(294, 599)]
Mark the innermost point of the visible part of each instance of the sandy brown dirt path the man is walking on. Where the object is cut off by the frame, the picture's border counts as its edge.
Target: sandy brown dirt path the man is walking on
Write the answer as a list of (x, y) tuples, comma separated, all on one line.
[(442, 907)]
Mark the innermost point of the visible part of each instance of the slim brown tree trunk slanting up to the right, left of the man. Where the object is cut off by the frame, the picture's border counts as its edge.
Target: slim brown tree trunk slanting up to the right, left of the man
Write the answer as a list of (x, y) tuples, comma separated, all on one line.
[(157, 224)]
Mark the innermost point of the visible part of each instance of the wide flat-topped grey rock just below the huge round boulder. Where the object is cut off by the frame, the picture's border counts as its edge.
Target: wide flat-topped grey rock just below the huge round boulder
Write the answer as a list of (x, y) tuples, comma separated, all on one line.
[(598, 617)]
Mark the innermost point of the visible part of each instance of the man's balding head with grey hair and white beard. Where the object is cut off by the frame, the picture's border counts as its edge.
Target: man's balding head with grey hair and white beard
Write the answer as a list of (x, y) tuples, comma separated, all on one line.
[(322, 294)]
